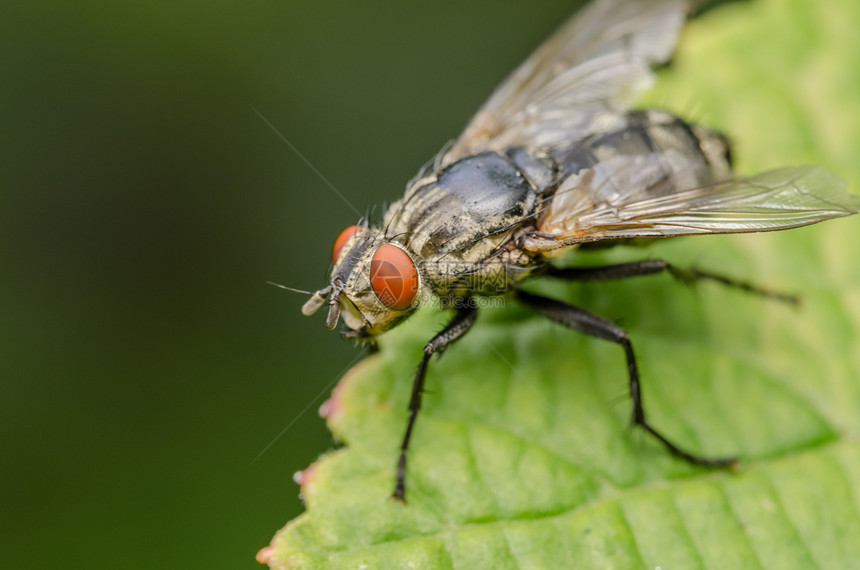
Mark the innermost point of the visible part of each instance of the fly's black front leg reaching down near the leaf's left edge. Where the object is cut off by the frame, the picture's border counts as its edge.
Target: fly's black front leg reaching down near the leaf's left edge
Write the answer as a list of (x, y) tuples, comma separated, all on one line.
[(459, 325)]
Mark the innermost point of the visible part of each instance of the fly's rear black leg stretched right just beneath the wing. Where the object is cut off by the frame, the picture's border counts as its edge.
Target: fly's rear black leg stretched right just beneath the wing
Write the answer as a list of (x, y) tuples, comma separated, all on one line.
[(651, 266)]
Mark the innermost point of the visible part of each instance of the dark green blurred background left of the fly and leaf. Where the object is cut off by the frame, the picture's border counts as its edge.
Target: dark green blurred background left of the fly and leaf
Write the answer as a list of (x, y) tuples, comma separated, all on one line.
[(145, 361)]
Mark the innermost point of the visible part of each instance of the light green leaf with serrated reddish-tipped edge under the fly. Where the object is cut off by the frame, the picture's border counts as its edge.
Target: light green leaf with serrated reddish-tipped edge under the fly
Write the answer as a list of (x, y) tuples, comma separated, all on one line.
[(521, 457)]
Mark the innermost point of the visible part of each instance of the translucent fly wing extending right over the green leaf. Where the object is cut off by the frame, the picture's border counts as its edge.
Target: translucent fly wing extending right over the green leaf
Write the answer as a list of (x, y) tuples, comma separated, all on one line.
[(591, 207)]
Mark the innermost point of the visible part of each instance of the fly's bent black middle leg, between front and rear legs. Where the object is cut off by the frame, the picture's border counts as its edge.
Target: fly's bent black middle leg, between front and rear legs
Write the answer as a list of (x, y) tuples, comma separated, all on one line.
[(592, 325)]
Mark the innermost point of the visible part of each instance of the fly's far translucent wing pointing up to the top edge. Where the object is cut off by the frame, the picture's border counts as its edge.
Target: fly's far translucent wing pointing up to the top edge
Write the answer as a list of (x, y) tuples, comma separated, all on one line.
[(582, 75)]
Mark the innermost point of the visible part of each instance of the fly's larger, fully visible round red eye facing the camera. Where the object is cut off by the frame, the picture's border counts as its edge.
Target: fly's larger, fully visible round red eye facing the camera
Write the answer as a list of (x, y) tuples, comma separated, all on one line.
[(393, 277)]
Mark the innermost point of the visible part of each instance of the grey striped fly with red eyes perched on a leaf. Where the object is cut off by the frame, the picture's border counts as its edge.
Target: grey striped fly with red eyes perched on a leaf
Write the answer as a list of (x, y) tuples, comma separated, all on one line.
[(555, 160)]
